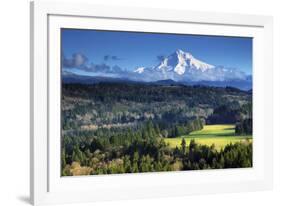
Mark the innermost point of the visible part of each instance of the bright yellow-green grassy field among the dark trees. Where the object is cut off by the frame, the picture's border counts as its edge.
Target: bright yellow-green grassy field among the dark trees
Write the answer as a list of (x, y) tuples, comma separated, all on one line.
[(219, 135)]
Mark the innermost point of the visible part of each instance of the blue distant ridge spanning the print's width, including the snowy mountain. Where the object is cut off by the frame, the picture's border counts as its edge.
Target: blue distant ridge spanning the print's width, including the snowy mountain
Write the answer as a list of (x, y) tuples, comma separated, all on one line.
[(180, 67)]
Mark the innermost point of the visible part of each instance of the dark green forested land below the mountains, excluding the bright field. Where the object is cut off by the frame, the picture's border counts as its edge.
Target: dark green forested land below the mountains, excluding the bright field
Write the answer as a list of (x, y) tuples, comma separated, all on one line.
[(120, 127)]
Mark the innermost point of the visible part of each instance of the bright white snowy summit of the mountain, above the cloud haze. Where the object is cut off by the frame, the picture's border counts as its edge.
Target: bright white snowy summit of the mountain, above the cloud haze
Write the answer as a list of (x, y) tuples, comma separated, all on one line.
[(180, 61)]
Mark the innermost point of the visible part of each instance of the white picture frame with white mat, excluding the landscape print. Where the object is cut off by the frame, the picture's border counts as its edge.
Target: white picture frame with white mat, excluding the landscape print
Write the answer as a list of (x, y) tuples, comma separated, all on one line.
[(46, 184)]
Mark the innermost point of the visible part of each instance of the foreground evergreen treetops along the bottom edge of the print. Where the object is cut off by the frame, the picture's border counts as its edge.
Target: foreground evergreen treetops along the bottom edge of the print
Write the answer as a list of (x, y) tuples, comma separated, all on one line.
[(151, 156)]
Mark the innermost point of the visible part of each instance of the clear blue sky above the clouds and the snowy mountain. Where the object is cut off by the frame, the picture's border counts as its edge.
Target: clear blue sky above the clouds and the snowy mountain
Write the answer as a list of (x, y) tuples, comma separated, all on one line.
[(129, 50)]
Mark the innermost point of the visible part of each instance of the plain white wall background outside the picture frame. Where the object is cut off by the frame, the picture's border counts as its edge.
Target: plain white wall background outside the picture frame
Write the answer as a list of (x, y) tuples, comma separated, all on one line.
[(14, 100)]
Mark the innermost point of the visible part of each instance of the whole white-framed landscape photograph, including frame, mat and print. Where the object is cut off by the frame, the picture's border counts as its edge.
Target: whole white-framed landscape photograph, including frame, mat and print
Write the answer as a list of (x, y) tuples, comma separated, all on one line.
[(137, 103)]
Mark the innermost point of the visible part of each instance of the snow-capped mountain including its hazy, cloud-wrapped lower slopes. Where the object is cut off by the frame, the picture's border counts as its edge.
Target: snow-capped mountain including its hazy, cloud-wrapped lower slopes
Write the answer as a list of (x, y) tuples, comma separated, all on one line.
[(183, 66)]
